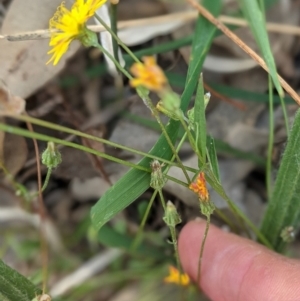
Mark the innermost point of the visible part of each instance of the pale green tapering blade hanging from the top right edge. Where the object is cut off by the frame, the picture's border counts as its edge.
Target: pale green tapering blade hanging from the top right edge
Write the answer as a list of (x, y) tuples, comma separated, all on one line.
[(256, 20)]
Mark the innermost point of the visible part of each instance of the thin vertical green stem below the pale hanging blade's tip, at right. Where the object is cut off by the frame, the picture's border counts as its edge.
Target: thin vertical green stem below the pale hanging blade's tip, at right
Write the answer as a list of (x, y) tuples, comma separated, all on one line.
[(271, 140)]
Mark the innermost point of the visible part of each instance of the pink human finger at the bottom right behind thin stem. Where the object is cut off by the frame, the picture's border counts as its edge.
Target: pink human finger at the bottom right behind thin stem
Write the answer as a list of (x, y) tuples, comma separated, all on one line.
[(237, 269)]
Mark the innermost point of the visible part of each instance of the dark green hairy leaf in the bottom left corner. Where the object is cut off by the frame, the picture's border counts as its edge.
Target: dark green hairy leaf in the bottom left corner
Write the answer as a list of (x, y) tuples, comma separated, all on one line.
[(14, 286)]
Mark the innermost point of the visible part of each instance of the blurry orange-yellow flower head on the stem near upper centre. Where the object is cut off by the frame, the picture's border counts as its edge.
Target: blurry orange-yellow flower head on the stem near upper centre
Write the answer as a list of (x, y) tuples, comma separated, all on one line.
[(148, 75)]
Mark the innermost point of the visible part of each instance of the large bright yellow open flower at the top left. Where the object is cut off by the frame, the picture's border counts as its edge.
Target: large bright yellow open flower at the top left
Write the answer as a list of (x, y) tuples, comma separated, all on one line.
[(68, 25)]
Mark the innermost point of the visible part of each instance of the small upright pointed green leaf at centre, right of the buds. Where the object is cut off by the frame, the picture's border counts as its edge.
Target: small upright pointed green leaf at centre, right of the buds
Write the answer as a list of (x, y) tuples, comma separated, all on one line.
[(200, 122)]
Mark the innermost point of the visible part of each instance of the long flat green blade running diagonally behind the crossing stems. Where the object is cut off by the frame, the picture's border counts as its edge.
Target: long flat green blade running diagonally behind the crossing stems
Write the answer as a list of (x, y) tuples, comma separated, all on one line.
[(135, 182)]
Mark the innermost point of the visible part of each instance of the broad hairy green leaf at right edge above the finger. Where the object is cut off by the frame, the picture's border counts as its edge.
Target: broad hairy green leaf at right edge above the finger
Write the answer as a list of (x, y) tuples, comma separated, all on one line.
[(283, 208)]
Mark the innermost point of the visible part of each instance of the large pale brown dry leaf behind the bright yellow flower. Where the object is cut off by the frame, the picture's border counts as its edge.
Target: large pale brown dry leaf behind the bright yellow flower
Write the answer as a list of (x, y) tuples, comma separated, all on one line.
[(23, 63)]
